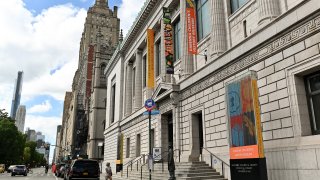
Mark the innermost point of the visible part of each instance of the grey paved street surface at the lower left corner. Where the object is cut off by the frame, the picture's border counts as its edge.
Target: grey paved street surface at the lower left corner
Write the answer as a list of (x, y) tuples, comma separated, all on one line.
[(38, 173)]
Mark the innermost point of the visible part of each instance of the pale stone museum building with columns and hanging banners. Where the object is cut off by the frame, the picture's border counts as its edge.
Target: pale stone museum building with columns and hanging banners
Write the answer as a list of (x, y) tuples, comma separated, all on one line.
[(279, 40)]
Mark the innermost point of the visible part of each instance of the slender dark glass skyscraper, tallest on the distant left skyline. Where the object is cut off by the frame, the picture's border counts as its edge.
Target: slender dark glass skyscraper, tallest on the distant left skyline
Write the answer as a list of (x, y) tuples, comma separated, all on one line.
[(16, 95)]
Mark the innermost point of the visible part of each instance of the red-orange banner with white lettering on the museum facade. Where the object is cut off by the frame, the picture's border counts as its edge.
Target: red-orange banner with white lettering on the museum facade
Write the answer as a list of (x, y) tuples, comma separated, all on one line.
[(191, 27)]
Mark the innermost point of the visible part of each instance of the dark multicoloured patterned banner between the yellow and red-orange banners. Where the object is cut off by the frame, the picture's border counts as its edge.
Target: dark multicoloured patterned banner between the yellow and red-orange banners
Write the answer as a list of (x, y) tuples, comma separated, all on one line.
[(168, 42)]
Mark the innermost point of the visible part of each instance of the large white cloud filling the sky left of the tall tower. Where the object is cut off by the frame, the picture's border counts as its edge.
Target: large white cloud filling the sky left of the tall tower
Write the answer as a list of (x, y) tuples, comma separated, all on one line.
[(38, 45)]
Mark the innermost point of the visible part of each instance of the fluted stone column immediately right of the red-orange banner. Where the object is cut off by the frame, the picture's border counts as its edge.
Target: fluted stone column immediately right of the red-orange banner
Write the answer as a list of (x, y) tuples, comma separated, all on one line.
[(219, 32)]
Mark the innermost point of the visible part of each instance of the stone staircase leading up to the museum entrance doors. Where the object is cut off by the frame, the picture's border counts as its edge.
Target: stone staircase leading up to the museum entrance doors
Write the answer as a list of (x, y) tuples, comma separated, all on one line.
[(184, 171)]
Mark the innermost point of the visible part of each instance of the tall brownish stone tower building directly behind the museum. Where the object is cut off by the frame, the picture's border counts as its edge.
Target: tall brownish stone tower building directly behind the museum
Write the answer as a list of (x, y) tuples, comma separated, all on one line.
[(99, 40)]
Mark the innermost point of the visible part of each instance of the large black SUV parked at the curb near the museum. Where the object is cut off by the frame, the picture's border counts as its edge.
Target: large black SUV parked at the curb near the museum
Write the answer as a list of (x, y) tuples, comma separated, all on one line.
[(84, 169)]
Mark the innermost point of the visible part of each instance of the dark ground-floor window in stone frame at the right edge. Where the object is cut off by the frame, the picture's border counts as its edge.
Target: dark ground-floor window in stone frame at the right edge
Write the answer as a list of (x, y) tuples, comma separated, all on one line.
[(313, 98)]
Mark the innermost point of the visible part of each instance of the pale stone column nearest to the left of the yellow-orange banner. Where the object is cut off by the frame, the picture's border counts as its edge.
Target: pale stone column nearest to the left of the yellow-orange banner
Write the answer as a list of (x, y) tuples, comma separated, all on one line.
[(138, 80)]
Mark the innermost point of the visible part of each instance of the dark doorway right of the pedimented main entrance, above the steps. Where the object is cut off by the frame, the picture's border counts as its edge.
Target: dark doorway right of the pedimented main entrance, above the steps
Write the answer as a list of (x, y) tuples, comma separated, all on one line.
[(196, 136)]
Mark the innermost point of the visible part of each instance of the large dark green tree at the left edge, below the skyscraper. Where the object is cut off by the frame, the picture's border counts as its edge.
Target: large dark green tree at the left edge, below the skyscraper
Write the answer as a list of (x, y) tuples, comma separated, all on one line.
[(11, 141)]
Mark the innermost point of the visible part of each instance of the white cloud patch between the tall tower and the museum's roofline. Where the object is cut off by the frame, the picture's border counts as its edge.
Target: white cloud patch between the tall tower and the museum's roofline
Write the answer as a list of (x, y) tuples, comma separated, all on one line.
[(128, 12)]
